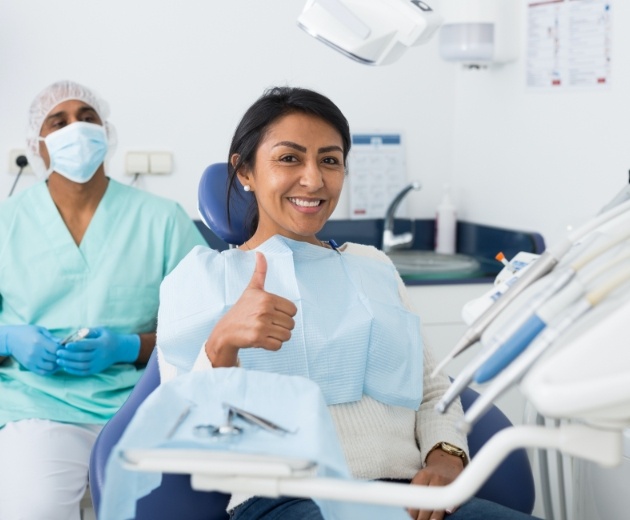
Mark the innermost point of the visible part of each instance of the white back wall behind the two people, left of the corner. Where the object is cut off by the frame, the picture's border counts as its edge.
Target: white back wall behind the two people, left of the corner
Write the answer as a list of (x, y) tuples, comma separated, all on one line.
[(179, 74)]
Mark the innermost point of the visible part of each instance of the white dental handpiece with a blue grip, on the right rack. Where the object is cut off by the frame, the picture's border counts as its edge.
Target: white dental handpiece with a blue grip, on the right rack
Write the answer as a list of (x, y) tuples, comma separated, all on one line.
[(509, 341)]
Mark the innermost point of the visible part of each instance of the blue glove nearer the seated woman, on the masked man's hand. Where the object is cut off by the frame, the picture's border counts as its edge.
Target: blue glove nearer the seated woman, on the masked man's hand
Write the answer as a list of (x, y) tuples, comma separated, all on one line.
[(100, 349)]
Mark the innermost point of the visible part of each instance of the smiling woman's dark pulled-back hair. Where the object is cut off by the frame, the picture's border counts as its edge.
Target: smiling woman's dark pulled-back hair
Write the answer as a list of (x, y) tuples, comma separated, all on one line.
[(273, 104)]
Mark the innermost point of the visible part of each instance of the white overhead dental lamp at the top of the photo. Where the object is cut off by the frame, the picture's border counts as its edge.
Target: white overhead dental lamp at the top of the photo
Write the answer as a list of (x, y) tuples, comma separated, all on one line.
[(372, 32)]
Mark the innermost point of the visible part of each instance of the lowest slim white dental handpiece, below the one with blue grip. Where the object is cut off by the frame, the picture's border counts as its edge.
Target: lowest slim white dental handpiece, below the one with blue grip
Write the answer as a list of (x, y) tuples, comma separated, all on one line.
[(515, 372)]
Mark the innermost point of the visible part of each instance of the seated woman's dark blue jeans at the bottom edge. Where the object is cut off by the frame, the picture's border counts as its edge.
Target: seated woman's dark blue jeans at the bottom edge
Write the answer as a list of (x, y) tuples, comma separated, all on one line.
[(260, 508)]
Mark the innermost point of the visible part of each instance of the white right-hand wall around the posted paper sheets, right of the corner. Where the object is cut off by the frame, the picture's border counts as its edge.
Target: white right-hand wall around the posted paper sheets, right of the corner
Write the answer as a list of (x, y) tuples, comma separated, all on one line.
[(541, 160)]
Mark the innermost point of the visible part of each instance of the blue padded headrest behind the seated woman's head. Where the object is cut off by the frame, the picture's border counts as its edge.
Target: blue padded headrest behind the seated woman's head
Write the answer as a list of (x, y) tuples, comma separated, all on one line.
[(212, 205)]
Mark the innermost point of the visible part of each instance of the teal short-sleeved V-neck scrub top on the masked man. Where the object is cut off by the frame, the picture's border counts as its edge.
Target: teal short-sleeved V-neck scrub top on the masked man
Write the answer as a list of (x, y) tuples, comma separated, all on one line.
[(111, 279)]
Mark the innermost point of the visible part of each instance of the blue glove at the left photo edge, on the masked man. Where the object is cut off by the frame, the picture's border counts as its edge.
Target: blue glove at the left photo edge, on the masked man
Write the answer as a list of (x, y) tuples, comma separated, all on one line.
[(32, 346)]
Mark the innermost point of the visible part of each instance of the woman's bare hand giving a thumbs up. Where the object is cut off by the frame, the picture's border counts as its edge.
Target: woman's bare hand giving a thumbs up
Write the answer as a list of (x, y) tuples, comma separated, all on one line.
[(258, 319)]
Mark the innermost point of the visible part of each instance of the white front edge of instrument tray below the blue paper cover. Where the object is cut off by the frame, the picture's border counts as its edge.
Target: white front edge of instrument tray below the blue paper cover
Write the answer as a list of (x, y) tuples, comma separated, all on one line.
[(211, 462)]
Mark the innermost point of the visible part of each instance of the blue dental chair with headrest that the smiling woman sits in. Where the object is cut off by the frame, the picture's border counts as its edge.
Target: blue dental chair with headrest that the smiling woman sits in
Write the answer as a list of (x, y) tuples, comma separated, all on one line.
[(511, 484)]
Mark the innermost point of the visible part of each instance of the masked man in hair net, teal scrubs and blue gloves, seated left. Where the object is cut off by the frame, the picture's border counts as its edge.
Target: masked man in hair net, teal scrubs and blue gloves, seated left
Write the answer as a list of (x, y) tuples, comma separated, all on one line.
[(77, 250)]
